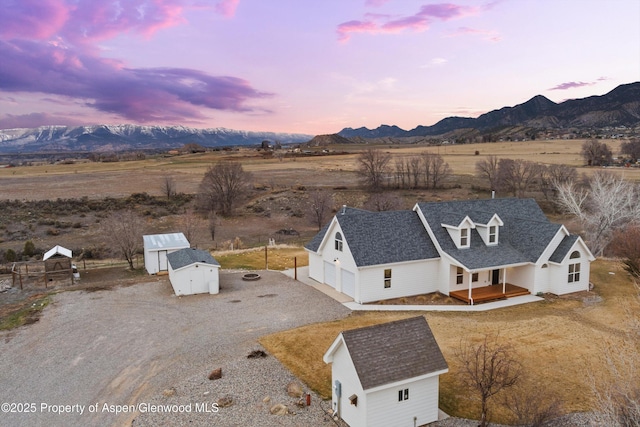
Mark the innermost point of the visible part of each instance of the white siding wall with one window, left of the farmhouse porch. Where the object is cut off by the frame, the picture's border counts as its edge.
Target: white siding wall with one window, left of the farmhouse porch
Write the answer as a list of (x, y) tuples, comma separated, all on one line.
[(410, 278)]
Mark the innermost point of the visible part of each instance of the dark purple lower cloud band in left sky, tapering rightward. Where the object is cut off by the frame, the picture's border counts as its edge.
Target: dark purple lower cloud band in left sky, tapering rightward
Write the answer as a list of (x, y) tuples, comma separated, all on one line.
[(142, 95)]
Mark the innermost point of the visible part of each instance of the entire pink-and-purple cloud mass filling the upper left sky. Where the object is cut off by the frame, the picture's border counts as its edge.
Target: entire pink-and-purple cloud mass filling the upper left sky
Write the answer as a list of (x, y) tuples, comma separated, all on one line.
[(48, 47)]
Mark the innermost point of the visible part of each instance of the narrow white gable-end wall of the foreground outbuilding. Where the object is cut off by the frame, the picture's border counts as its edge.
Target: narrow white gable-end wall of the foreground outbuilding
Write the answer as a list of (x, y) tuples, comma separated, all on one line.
[(342, 369)]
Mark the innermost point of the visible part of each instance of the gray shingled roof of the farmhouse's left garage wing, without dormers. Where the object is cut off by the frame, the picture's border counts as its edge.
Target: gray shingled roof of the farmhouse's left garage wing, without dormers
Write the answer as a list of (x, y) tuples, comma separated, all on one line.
[(382, 237)]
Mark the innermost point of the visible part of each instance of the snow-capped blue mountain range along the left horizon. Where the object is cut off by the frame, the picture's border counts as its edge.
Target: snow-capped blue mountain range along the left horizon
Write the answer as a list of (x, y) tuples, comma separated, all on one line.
[(103, 138)]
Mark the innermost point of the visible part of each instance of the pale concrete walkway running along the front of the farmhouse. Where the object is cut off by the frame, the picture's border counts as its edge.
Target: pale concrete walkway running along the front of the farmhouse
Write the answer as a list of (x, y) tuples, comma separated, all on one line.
[(303, 277)]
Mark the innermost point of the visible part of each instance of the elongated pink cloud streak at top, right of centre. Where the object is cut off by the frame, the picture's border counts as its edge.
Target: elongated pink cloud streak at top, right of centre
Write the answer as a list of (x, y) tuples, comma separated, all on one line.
[(380, 24)]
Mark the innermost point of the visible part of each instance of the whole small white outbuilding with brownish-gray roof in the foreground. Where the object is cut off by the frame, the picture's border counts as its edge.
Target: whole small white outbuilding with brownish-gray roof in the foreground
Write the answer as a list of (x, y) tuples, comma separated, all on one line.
[(386, 374)]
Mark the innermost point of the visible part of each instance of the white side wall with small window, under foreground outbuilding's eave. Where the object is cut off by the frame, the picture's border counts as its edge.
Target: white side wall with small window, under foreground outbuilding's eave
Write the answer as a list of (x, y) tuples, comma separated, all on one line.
[(384, 409)]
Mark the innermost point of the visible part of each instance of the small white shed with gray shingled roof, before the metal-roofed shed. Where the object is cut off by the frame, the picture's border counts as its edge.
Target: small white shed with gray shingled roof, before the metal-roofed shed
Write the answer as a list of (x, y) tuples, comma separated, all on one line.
[(193, 271)]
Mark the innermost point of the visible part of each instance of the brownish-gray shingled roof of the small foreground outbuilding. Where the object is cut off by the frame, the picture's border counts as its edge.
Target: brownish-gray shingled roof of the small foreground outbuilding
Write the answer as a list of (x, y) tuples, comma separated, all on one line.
[(394, 351)]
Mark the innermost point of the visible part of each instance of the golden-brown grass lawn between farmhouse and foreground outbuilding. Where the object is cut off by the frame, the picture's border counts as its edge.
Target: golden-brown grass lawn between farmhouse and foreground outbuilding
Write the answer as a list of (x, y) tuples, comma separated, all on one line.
[(560, 341)]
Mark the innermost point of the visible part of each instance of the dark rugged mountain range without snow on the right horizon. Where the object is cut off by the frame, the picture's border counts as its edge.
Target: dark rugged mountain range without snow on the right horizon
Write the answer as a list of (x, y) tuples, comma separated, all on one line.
[(620, 107)]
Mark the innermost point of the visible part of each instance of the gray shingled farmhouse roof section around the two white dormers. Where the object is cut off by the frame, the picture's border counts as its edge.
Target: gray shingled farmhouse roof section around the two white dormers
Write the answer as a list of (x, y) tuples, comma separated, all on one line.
[(523, 237)]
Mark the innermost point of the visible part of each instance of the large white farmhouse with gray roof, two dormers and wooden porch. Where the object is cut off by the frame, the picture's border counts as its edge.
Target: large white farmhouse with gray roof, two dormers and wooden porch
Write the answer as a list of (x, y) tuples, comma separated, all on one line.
[(472, 250)]
